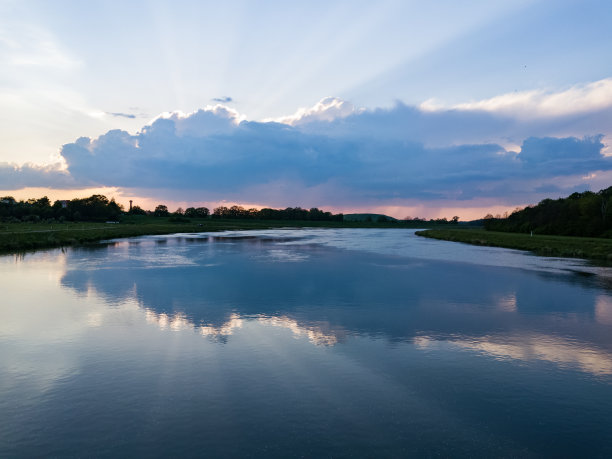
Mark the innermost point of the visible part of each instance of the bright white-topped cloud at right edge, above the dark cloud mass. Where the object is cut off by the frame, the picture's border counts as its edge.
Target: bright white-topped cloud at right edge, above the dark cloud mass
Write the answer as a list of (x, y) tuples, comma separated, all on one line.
[(509, 118)]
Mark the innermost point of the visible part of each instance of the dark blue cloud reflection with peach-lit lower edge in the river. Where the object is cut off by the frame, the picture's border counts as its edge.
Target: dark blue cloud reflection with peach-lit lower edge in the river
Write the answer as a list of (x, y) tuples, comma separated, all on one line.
[(287, 279)]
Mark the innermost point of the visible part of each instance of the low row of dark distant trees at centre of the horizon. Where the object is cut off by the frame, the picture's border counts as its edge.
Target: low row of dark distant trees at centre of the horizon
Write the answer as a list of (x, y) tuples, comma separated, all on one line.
[(290, 213)]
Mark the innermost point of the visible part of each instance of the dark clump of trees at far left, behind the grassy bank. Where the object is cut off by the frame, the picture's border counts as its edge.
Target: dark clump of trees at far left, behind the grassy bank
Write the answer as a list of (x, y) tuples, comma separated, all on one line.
[(93, 208)]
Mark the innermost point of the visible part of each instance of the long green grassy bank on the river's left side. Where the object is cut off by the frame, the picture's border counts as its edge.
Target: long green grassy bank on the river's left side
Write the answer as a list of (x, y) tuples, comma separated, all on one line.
[(20, 237)]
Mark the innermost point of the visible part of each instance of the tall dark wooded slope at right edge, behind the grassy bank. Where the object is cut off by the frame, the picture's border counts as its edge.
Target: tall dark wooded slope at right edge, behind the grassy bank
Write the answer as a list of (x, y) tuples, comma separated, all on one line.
[(580, 214)]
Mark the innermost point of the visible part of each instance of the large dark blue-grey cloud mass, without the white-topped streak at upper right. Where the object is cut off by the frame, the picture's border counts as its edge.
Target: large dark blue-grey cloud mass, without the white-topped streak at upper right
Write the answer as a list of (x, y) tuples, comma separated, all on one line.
[(212, 151)]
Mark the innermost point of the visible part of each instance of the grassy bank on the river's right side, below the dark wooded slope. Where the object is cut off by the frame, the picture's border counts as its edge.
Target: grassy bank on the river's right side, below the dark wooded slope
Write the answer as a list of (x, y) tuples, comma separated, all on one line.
[(553, 246)]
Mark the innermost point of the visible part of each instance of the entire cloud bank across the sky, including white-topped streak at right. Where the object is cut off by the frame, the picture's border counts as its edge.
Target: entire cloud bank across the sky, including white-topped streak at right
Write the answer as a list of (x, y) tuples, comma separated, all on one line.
[(516, 148)]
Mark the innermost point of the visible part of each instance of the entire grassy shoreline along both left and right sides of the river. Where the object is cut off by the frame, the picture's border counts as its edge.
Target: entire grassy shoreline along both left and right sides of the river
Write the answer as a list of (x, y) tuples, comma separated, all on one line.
[(21, 238)]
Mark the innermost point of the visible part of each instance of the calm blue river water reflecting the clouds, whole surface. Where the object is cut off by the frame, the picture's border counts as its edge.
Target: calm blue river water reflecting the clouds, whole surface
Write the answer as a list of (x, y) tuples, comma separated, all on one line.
[(303, 343)]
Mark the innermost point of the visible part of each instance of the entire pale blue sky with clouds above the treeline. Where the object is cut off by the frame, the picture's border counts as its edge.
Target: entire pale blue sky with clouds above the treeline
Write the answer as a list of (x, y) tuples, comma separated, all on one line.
[(413, 108)]
